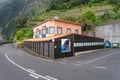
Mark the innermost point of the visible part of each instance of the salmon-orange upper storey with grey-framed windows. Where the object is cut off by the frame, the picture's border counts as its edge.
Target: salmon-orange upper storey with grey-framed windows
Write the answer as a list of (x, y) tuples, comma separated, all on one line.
[(55, 27)]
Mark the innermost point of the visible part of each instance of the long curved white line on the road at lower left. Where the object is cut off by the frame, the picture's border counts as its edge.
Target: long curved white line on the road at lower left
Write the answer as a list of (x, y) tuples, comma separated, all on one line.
[(35, 74)]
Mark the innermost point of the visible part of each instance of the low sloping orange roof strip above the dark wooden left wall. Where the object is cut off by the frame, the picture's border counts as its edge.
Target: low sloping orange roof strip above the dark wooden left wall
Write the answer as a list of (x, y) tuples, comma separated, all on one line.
[(46, 38)]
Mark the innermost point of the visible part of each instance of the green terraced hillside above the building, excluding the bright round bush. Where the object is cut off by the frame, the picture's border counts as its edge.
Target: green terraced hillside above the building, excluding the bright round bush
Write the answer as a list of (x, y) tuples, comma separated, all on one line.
[(105, 11)]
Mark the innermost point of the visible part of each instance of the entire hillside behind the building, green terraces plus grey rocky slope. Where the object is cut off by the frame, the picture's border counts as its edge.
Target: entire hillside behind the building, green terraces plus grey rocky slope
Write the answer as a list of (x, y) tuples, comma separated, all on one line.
[(89, 13)]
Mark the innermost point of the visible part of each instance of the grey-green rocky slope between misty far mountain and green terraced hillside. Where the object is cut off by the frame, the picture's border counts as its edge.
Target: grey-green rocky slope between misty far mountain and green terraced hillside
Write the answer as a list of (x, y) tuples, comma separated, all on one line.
[(32, 8)]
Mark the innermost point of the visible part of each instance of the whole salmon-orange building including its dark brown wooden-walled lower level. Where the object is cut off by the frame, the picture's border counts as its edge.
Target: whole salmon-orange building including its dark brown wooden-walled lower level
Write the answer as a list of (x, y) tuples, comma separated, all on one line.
[(57, 39)]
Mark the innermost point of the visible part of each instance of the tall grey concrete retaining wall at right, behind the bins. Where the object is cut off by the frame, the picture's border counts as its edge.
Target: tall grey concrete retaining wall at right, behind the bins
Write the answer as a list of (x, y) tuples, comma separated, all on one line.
[(108, 32)]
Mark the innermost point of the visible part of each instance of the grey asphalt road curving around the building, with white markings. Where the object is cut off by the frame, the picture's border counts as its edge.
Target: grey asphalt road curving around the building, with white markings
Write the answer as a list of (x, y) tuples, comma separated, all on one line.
[(16, 64)]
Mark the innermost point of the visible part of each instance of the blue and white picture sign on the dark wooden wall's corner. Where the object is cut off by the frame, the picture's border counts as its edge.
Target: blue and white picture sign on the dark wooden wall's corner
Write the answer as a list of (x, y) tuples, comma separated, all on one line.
[(65, 45)]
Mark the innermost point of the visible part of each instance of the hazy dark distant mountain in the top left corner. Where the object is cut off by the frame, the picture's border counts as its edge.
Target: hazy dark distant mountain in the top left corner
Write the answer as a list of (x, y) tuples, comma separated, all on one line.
[(9, 10)]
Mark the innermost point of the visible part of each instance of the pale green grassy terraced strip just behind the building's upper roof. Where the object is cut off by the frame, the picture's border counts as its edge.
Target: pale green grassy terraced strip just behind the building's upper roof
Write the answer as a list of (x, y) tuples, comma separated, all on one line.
[(70, 14)]
